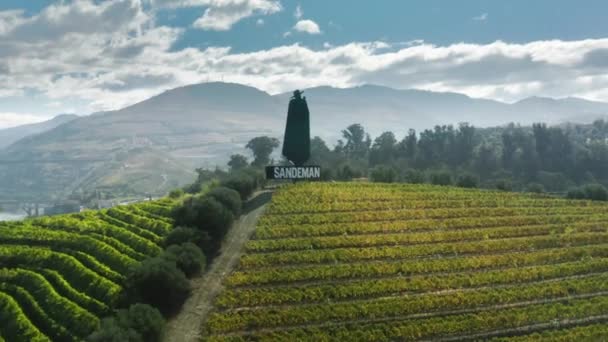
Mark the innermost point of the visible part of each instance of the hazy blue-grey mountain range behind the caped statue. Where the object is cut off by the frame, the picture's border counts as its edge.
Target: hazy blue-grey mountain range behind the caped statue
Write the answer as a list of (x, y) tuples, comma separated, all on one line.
[(154, 145)]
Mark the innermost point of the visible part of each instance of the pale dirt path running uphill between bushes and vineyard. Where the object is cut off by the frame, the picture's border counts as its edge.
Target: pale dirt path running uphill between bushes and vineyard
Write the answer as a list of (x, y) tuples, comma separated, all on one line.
[(186, 326)]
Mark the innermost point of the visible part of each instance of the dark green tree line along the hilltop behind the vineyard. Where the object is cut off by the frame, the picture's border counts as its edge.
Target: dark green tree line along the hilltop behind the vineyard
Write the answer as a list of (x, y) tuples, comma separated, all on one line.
[(511, 157)]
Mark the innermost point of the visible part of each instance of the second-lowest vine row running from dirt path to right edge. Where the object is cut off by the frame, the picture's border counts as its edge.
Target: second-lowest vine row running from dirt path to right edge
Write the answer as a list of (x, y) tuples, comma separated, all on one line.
[(274, 317)]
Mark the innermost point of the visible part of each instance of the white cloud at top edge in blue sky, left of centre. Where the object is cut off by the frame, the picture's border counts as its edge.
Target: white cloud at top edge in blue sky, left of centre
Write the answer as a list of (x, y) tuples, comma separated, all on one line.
[(221, 15)]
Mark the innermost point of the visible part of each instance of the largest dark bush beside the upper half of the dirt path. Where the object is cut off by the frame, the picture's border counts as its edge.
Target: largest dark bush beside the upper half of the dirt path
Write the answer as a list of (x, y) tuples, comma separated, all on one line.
[(206, 214)]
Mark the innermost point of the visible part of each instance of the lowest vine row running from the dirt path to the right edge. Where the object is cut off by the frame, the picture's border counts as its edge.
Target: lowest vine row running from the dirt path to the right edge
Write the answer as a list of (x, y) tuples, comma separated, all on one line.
[(458, 324)]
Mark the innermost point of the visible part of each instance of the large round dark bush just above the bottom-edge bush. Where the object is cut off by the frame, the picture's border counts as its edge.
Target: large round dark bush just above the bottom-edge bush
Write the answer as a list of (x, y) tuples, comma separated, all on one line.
[(158, 282)]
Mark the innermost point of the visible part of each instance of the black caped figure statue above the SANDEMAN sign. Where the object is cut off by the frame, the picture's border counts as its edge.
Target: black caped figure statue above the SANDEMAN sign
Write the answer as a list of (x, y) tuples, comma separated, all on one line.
[(296, 144)]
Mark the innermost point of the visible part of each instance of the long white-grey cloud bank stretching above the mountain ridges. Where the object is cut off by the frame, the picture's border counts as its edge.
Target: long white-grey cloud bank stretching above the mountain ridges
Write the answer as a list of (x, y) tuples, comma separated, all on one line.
[(105, 67)]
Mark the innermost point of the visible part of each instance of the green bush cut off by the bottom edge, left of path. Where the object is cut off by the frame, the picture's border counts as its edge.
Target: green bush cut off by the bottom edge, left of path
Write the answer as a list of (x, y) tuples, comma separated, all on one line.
[(140, 322)]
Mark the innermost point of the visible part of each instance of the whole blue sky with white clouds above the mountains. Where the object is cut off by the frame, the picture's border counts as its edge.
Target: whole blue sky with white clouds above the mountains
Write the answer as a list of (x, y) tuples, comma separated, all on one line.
[(85, 56)]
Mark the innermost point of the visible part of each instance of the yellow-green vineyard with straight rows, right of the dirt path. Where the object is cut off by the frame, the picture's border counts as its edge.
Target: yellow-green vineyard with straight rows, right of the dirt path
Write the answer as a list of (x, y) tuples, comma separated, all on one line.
[(371, 262)]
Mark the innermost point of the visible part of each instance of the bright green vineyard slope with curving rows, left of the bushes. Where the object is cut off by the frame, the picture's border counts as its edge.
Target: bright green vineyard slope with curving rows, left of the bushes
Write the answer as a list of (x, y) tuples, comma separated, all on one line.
[(59, 275)]
